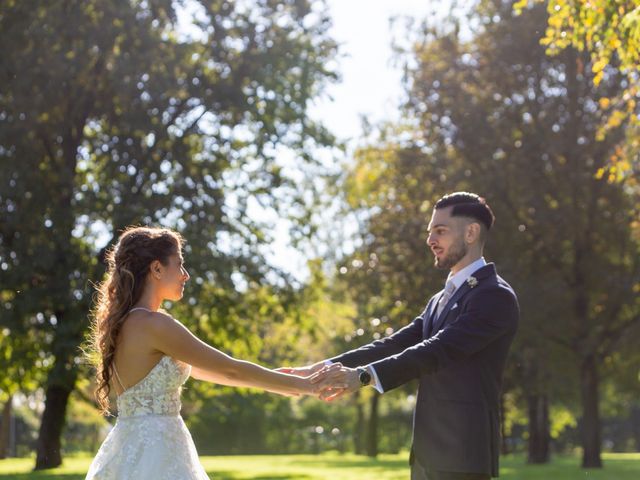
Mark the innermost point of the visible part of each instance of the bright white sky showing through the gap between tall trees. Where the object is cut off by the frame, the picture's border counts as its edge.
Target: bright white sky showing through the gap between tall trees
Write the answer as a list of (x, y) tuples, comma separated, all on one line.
[(370, 85)]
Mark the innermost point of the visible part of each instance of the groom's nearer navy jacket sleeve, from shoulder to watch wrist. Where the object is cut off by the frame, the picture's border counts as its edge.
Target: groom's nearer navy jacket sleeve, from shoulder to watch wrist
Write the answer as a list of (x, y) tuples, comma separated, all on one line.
[(486, 318)]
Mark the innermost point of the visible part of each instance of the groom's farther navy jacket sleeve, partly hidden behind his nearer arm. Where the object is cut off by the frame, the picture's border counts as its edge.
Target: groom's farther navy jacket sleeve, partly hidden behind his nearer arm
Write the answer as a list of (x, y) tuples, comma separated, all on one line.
[(391, 345)]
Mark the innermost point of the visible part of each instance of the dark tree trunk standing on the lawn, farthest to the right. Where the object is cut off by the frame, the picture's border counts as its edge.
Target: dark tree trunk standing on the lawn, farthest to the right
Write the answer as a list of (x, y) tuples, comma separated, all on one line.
[(590, 413)]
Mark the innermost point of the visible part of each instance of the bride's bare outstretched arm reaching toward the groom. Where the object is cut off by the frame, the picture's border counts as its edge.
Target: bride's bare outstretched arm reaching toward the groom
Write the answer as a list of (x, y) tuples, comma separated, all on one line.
[(170, 337)]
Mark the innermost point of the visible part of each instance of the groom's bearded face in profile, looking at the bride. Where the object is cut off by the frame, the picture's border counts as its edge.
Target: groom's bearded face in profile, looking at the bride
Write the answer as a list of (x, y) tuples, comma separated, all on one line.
[(446, 238)]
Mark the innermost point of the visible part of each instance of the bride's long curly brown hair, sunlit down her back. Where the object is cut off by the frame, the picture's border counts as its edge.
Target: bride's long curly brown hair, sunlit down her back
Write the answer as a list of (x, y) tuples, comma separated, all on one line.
[(128, 264)]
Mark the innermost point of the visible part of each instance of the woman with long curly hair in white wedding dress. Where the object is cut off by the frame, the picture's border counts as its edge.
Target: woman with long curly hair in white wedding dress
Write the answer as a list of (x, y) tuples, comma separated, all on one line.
[(145, 356)]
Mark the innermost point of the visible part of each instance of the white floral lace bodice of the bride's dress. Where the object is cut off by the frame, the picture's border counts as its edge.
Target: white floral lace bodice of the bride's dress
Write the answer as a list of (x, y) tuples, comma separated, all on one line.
[(156, 394)]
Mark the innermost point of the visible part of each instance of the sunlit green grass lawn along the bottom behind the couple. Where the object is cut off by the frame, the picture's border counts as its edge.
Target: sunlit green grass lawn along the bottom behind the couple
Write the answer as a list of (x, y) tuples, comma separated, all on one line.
[(625, 466)]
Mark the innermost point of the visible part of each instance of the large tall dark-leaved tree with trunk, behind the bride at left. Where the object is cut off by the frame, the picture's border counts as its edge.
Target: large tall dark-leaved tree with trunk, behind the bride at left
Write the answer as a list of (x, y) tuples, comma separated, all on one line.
[(113, 114)]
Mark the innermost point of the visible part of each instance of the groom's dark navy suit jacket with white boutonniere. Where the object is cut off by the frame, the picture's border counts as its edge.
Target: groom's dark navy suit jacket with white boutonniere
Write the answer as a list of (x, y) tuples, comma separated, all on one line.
[(459, 361)]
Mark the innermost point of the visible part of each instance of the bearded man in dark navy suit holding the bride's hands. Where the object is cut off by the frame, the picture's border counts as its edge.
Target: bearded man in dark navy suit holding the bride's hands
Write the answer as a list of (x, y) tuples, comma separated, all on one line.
[(456, 348)]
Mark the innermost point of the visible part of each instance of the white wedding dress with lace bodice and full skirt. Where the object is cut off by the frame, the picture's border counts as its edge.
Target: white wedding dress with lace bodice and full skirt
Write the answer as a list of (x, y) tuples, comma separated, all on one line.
[(150, 441)]
